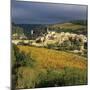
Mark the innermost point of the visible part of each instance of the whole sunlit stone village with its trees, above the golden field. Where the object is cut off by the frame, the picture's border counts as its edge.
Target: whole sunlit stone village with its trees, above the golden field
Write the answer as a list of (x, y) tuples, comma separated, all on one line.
[(63, 39)]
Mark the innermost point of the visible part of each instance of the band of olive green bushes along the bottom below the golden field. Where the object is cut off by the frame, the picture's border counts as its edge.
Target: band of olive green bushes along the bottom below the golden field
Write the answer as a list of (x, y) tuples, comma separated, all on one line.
[(33, 78)]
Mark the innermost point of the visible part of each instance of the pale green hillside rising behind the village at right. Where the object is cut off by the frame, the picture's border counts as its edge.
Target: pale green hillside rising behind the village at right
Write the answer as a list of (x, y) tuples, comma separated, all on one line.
[(69, 27)]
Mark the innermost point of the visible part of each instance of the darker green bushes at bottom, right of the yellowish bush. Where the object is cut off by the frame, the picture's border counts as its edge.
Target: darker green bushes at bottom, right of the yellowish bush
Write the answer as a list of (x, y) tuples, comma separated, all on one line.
[(68, 76)]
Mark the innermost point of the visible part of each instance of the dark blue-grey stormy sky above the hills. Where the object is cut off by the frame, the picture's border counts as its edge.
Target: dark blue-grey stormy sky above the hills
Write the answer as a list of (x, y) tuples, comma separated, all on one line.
[(23, 12)]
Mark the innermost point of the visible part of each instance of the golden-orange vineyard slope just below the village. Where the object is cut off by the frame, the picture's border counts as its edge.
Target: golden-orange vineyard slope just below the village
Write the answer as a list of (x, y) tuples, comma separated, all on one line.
[(55, 59)]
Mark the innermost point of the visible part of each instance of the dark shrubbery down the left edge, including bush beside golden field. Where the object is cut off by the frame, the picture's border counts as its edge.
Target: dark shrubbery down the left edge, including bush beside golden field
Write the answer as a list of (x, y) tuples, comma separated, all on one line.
[(19, 59)]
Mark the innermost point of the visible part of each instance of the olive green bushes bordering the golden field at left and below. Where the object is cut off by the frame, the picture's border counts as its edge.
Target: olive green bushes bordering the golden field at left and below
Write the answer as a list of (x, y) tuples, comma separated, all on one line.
[(27, 74)]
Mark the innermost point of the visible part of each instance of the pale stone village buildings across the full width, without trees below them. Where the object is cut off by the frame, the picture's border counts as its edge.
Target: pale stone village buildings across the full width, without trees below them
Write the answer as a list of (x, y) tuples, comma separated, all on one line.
[(52, 37)]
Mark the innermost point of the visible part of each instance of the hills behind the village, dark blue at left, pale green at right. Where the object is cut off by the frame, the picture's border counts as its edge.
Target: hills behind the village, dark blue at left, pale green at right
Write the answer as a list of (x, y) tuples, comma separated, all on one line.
[(78, 27)]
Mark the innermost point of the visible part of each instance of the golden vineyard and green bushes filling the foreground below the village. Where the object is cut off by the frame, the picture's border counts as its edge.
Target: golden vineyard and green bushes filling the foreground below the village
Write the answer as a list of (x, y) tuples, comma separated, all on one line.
[(42, 67)]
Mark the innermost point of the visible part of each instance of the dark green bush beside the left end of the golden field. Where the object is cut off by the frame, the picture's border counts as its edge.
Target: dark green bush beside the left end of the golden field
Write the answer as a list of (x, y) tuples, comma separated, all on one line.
[(23, 59)]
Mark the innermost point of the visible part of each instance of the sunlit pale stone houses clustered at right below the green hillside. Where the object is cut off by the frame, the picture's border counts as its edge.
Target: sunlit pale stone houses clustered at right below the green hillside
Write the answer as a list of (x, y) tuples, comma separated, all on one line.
[(59, 38)]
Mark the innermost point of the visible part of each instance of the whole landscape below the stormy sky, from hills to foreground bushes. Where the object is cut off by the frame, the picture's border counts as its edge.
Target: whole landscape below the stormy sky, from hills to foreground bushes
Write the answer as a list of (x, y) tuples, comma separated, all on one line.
[(35, 65)]
